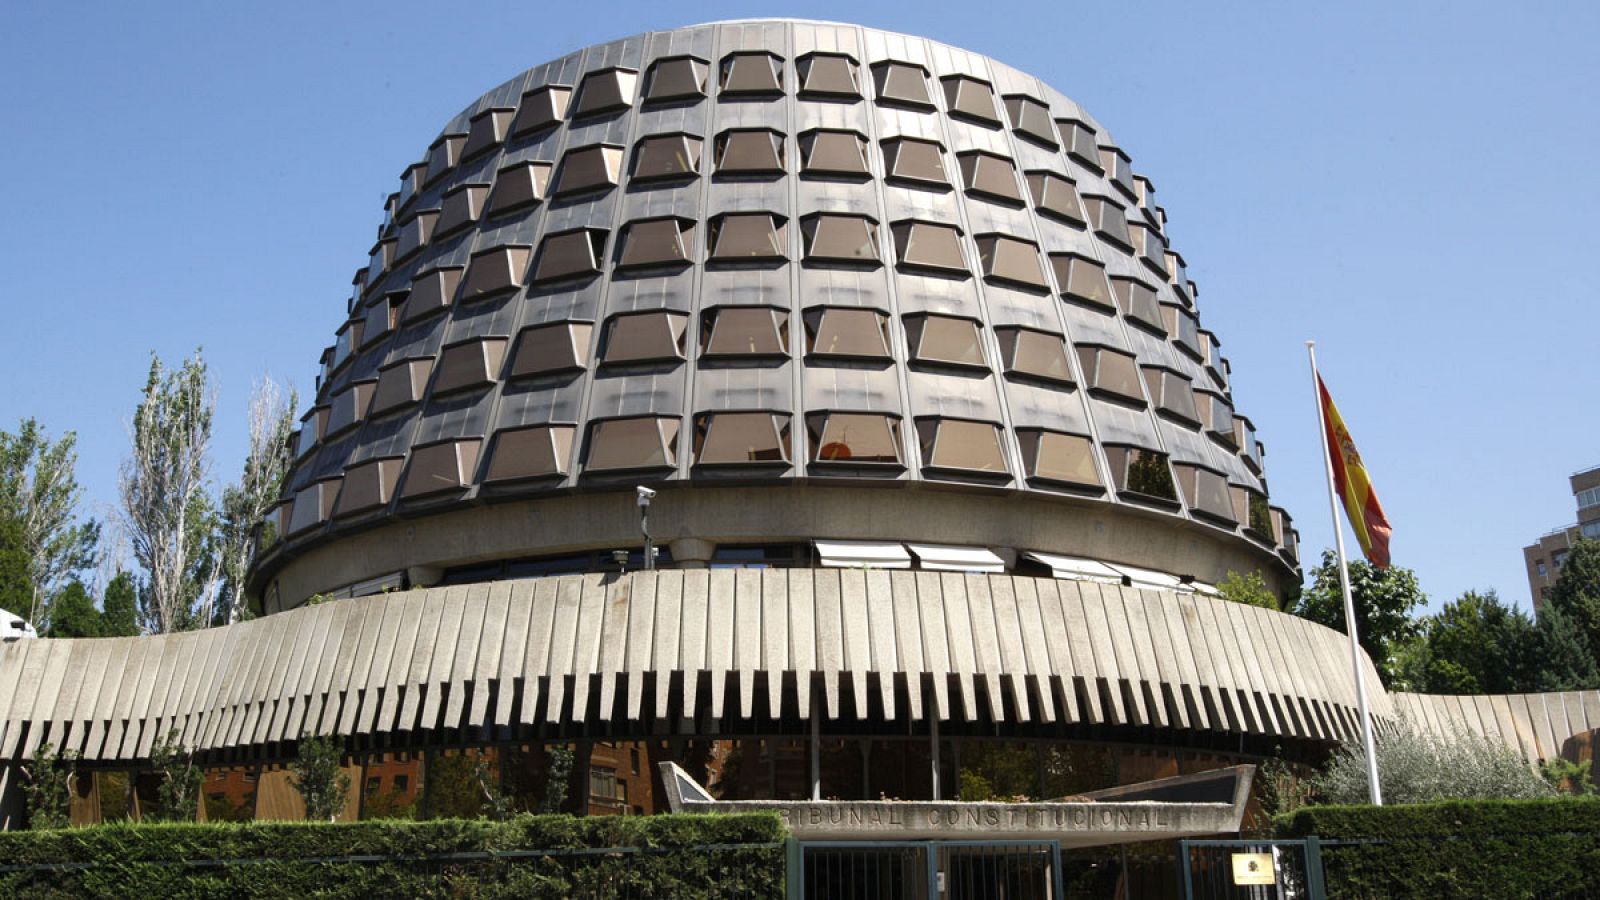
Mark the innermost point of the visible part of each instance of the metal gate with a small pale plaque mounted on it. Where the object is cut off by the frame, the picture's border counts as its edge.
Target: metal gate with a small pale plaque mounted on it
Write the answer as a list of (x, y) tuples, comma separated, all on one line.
[(1252, 870)]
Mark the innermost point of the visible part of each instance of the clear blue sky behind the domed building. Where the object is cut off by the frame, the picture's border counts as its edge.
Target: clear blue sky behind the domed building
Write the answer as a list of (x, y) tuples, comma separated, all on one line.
[(1410, 185)]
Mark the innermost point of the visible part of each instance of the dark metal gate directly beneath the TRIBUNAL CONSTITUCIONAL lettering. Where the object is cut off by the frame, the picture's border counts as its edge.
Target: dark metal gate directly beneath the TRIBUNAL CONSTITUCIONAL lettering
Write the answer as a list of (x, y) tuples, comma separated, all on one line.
[(927, 870)]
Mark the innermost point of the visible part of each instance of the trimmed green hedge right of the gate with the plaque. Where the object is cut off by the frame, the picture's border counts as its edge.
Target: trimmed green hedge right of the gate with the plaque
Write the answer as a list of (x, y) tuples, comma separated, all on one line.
[(1457, 850)]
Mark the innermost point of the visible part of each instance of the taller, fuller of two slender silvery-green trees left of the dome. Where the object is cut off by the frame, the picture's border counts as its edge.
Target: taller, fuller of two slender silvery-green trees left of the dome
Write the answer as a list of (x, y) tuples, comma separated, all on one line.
[(166, 505)]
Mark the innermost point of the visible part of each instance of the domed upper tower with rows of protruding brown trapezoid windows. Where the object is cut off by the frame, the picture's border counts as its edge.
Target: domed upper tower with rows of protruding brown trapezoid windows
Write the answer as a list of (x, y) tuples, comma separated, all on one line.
[(842, 297)]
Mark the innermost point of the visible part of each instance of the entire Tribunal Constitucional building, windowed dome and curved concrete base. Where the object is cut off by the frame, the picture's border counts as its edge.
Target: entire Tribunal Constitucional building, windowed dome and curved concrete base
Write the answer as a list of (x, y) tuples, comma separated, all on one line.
[(945, 459)]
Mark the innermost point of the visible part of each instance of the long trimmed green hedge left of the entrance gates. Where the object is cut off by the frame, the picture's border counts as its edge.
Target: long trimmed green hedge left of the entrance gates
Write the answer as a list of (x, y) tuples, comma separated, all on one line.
[(674, 856)]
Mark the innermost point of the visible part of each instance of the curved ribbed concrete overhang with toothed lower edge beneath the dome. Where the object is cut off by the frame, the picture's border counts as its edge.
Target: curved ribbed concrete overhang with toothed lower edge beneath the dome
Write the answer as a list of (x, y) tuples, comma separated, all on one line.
[(702, 653)]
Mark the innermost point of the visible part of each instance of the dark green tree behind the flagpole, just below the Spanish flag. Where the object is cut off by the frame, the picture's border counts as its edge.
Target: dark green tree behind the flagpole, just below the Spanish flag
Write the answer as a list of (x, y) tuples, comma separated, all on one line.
[(1385, 600)]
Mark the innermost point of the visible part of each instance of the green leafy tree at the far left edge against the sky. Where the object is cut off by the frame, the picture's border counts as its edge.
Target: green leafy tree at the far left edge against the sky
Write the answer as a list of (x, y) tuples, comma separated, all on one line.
[(39, 492)]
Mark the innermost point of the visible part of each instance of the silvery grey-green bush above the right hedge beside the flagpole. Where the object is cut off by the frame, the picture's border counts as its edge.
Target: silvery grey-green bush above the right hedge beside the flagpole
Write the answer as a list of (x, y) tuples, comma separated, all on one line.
[(1418, 768)]
